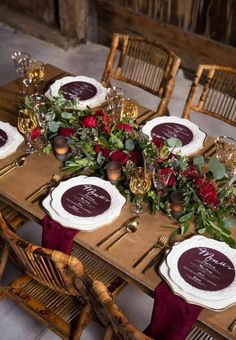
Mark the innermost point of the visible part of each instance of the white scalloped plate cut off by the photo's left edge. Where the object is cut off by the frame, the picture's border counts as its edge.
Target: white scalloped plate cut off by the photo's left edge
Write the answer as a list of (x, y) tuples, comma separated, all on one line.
[(13, 141)]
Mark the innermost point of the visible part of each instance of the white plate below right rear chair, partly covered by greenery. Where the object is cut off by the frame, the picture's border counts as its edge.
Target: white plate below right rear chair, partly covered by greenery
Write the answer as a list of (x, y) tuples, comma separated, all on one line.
[(188, 149)]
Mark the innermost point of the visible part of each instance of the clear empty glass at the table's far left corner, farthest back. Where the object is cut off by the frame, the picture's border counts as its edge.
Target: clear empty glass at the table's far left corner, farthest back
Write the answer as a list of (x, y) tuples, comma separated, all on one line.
[(21, 61)]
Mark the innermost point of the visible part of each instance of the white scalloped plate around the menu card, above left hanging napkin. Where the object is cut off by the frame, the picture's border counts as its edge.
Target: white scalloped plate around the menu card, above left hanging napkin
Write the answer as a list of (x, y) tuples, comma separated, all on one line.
[(53, 205)]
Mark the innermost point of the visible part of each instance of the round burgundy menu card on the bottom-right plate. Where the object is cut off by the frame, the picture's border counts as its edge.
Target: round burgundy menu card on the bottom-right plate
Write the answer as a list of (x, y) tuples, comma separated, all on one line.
[(206, 269)]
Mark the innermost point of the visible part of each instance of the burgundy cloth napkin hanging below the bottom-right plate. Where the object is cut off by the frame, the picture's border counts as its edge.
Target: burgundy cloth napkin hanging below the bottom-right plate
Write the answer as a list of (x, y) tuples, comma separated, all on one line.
[(172, 317)]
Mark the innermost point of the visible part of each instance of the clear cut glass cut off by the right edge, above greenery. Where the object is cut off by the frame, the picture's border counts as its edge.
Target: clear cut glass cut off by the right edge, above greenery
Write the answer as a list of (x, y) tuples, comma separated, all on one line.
[(226, 153)]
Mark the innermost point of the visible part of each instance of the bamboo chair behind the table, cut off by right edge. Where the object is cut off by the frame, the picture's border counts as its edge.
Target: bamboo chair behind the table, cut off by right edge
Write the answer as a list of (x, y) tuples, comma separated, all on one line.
[(218, 95)]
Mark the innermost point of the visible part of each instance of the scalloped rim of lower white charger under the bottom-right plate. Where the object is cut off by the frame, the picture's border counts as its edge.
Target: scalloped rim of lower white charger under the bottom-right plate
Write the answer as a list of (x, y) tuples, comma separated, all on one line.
[(218, 305)]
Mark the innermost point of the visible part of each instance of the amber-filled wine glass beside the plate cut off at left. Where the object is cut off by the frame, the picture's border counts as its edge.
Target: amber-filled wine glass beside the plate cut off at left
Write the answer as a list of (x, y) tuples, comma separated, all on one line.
[(27, 122)]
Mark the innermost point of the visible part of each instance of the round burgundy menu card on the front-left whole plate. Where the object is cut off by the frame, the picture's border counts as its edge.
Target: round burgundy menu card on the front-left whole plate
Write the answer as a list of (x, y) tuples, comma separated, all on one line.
[(86, 200)]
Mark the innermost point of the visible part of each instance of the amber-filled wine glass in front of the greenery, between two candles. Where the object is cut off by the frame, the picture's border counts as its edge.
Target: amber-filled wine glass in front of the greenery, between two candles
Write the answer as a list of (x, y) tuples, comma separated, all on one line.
[(140, 184)]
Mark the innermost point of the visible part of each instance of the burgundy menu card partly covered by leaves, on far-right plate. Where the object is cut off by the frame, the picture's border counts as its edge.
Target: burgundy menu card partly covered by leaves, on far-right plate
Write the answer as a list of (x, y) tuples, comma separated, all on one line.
[(170, 130)]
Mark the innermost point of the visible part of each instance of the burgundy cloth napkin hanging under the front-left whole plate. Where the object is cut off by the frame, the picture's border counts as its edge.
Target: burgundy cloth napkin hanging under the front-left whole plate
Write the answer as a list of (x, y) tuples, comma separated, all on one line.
[(57, 237)]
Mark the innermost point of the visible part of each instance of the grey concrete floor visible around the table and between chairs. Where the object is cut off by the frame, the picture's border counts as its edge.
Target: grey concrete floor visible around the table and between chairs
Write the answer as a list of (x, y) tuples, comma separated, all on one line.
[(88, 60)]
